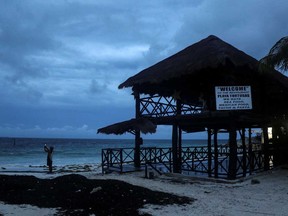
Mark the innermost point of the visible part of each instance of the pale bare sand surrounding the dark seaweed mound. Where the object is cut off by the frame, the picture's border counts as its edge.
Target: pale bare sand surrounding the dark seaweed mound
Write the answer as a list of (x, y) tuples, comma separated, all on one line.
[(269, 197)]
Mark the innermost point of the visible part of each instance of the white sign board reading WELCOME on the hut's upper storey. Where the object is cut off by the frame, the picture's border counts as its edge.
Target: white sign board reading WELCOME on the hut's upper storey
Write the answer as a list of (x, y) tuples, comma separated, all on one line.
[(233, 97)]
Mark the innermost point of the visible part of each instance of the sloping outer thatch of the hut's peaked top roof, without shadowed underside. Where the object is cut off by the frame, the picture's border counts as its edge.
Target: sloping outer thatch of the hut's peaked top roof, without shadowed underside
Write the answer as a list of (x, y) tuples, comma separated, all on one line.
[(209, 54)]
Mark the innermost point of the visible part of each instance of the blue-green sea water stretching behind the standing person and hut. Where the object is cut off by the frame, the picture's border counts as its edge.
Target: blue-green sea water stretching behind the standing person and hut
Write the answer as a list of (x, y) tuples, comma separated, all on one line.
[(28, 153)]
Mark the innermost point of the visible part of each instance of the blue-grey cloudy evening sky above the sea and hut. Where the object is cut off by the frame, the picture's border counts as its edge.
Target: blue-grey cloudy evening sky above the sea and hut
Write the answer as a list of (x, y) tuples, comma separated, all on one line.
[(61, 61)]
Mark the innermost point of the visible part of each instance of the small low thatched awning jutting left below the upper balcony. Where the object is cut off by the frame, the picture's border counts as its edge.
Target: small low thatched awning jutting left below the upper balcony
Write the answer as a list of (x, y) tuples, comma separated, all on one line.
[(142, 124)]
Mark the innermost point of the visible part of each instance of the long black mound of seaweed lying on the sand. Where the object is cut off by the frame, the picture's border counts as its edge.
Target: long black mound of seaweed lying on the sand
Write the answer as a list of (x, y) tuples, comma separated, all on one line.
[(71, 194)]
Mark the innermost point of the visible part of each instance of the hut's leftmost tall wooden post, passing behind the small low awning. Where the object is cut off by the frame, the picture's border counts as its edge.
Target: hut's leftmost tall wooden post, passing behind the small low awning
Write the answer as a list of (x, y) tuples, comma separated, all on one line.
[(138, 141)]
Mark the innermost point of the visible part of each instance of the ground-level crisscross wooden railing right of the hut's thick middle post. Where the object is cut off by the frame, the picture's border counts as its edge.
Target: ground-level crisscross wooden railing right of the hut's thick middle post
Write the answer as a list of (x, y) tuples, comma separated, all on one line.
[(196, 159)]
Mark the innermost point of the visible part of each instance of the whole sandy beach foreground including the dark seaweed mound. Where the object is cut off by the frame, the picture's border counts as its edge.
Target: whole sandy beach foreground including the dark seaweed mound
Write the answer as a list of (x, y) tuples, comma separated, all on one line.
[(87, 193)]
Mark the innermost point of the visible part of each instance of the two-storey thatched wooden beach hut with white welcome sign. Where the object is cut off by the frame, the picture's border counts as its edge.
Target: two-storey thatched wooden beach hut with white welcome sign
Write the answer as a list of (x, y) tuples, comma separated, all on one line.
[(211, 86)]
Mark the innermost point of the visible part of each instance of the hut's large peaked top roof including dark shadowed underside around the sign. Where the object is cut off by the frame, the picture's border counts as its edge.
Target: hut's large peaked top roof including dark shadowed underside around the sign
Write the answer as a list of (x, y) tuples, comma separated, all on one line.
[(197, 69)]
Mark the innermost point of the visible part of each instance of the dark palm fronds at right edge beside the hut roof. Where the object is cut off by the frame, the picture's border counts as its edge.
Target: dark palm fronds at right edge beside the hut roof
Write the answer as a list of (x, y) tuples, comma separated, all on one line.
[(278, 55)]
